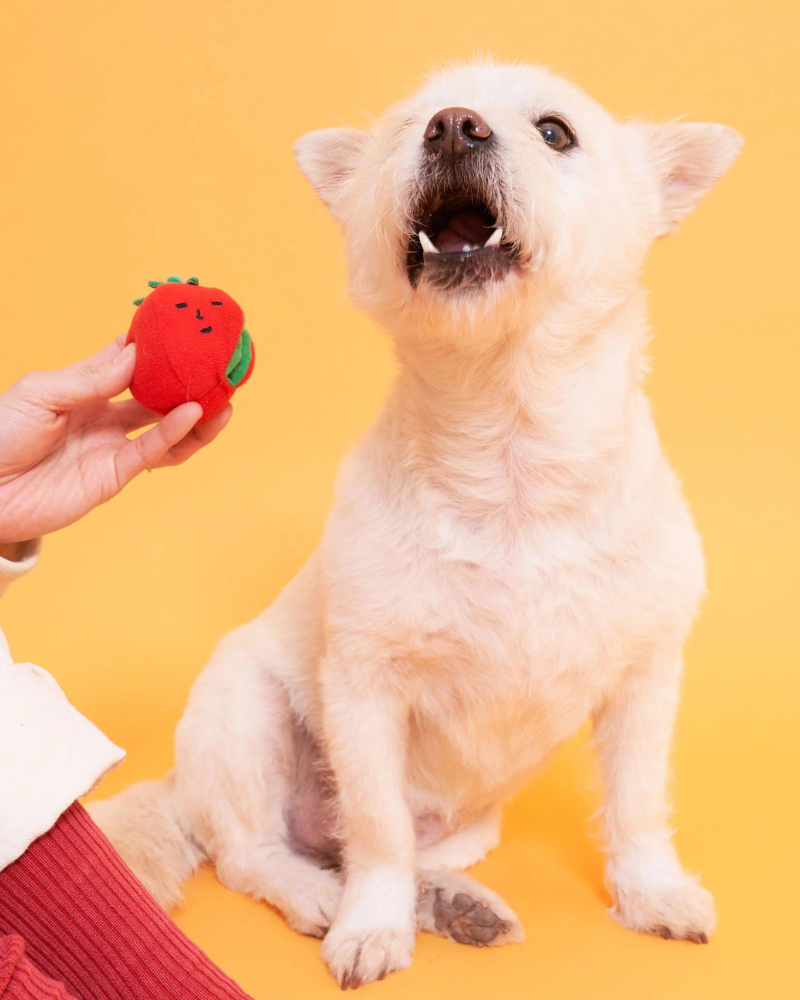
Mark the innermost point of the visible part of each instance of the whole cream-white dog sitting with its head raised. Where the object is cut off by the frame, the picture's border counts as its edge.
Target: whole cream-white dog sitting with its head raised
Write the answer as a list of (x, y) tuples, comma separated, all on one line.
[(509, 552)]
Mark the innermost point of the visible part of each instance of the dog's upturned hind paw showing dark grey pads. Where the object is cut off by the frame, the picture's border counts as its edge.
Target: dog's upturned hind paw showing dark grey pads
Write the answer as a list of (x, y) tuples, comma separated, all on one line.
[(457, 907)]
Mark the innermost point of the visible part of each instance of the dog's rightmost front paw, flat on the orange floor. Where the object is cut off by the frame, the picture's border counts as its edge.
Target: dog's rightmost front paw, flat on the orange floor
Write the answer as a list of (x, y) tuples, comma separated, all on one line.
[(684, 911)]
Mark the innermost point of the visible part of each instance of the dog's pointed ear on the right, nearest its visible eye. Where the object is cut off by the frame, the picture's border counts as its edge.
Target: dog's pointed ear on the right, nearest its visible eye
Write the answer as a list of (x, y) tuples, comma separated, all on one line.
[(688, 159)]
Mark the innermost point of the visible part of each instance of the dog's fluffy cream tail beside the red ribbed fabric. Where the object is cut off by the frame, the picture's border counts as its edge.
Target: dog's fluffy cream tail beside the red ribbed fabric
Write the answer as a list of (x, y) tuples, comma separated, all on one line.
[(142, 824)]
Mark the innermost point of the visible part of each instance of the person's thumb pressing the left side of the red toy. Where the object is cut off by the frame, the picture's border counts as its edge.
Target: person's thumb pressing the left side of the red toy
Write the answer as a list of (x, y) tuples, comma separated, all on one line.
[(70, 387)]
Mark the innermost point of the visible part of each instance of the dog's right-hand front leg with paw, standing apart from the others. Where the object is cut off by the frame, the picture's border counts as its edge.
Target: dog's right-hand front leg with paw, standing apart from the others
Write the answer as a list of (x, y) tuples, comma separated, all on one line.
[(633, 730)]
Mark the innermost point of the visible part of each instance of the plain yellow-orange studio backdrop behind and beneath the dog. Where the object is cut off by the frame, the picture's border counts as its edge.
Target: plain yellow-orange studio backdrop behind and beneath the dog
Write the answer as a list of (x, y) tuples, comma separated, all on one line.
[(145, 138)]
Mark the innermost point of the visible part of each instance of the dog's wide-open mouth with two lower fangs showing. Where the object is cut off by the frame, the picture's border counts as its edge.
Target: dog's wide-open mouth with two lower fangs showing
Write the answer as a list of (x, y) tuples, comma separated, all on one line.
[(458, 243)]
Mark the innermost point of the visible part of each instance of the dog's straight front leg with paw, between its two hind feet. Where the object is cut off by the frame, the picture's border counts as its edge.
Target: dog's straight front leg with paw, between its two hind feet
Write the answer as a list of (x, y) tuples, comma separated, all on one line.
[(365, 725)]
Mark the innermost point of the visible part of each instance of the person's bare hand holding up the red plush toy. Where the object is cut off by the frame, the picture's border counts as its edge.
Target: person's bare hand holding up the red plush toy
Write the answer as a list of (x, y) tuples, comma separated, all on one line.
[(64, 447)]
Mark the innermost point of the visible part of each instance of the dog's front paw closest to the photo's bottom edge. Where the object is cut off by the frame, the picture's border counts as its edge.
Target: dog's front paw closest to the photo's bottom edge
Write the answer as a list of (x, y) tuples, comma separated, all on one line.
[(356, 957)]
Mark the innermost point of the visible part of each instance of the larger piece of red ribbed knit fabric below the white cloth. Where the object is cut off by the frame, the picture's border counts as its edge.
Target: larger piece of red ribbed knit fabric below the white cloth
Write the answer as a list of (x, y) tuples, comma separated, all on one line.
[(88, 922)]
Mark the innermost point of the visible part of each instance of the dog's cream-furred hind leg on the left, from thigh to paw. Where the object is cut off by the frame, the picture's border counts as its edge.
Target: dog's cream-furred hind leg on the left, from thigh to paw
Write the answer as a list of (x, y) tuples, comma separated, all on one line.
[(236, 761)]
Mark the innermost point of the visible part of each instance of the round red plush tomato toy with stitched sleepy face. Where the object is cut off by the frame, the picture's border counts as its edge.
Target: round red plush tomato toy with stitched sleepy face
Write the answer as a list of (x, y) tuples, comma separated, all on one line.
[(191, 346)]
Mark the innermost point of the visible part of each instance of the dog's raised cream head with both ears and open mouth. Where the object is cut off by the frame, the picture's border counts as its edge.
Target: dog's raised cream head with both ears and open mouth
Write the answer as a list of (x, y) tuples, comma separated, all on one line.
[(498, 189)]
